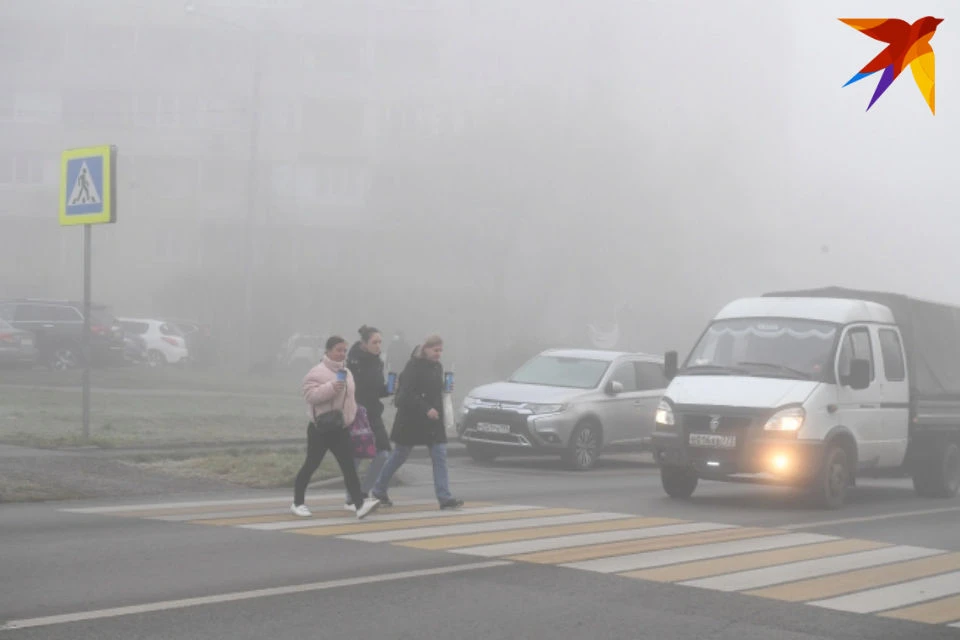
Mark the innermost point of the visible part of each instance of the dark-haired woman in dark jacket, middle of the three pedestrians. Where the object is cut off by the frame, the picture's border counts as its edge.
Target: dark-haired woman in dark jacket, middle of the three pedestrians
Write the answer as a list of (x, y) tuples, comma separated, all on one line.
[(367, 368)]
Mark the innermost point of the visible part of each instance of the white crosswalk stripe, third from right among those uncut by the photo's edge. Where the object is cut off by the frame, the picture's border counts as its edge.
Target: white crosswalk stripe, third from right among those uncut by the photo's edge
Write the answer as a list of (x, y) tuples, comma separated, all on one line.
[(584, 539)]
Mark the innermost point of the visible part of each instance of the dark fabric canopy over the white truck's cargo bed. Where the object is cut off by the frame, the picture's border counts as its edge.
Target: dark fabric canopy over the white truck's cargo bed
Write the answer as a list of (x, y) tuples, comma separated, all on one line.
[(931, 336)]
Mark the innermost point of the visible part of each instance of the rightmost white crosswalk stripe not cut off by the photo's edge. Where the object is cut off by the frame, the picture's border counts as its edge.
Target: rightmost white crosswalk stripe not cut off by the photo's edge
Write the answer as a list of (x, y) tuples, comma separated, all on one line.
[(757, 578)]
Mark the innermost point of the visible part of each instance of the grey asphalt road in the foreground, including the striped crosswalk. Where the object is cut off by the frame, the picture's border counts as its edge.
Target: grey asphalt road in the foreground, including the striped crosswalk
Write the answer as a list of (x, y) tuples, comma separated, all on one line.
[(234, 567)]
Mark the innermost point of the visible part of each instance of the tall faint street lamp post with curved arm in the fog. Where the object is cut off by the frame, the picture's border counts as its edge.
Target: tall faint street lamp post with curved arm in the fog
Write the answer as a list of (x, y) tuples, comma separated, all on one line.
[(253, 177)]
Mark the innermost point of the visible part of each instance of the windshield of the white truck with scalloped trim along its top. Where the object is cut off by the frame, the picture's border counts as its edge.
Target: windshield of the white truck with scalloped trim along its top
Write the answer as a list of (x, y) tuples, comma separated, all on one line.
[(765, 347)]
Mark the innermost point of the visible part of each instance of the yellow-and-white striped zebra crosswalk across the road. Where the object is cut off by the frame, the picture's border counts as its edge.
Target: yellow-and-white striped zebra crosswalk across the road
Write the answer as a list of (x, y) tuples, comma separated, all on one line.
[(904, 582)]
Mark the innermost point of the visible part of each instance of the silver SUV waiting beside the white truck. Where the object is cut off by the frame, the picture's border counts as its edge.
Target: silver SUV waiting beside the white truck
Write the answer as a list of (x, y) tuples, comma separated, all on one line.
[(572, 402)]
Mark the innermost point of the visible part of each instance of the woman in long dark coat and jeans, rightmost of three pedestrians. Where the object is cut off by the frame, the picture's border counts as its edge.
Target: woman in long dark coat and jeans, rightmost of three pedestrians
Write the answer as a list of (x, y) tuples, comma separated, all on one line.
[(419, 421)]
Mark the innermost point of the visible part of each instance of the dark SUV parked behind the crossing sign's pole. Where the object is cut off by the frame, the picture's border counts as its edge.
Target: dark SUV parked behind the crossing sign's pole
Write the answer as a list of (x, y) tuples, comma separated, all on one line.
[(57, 327)]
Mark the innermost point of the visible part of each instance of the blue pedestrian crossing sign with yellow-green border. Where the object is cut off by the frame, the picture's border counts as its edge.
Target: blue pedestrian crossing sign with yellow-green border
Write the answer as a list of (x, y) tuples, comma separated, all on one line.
[(88, 186)]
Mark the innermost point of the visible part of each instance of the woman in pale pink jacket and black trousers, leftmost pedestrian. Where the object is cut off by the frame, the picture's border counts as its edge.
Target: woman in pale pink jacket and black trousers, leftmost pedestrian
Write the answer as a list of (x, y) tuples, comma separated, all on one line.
[(331, 407)]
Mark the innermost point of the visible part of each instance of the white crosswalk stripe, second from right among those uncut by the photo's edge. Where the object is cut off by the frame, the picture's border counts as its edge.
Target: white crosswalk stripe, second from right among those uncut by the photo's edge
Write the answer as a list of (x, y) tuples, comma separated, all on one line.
[(650, 559)]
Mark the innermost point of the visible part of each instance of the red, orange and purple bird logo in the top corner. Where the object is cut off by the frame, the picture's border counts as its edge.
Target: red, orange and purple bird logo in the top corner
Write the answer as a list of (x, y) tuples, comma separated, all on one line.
[(907, 44)]
